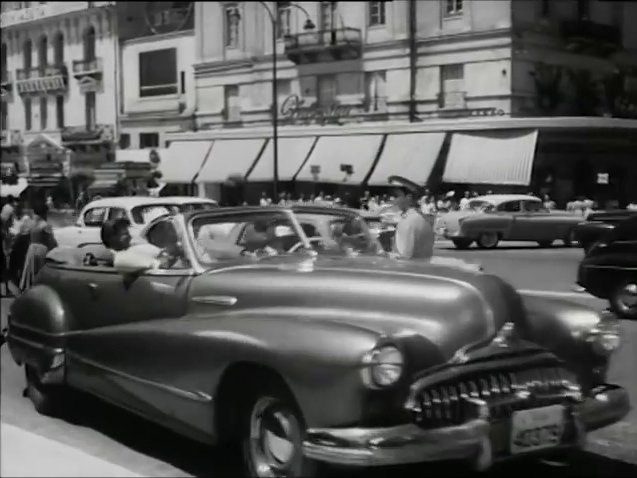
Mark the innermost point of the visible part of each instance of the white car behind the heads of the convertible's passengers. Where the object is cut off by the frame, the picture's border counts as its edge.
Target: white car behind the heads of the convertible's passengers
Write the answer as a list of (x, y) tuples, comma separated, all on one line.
[(139, 210)]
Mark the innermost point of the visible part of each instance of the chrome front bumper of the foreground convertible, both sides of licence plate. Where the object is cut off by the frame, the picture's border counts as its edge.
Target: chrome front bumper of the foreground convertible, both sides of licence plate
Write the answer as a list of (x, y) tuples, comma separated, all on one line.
[(409, 443)]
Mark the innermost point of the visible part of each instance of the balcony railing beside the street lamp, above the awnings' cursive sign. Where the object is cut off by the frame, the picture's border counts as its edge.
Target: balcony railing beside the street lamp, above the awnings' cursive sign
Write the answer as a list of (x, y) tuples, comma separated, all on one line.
[(324, 45)]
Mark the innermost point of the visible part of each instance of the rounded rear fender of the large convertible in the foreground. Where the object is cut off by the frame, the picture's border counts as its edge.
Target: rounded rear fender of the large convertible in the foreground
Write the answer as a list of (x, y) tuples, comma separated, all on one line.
[(37, 324)]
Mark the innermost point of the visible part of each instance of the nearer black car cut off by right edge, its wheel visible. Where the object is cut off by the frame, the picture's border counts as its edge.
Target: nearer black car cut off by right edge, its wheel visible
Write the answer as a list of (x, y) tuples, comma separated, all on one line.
[(609, 270)]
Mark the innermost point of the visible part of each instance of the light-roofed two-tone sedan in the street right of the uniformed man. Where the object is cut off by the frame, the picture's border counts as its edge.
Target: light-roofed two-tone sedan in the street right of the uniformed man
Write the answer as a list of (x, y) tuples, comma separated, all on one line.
[(508, 217)]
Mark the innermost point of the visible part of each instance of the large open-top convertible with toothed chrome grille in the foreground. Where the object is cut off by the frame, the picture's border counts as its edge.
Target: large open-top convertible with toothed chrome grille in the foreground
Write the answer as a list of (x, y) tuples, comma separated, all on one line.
[(289, 330)]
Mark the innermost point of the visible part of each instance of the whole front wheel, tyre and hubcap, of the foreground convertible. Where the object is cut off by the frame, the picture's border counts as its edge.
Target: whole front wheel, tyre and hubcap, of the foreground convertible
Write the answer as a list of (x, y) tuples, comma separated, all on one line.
[(272, 438)]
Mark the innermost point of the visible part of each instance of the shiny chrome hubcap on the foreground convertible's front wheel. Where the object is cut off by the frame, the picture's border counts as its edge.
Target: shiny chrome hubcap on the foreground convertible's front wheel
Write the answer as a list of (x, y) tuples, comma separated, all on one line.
[(275, 438)]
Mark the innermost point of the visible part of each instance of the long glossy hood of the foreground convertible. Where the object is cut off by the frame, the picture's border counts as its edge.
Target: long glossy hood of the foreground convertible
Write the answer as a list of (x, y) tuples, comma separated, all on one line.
[(448, 307)]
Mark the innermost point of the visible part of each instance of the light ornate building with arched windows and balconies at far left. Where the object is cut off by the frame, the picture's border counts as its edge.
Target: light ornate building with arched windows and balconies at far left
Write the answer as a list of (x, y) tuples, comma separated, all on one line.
[(59, 117)]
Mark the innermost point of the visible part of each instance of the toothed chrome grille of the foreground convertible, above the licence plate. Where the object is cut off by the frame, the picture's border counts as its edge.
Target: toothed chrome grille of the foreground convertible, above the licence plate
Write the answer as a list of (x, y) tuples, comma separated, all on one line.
[(445, 403)]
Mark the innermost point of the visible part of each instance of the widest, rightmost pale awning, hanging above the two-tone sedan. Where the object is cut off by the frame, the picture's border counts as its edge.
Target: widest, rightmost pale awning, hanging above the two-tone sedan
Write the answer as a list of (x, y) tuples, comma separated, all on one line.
[(494, 157)]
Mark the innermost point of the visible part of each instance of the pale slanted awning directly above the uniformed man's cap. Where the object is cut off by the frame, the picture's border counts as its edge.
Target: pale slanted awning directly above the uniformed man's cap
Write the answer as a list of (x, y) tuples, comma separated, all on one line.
[(410, 155)]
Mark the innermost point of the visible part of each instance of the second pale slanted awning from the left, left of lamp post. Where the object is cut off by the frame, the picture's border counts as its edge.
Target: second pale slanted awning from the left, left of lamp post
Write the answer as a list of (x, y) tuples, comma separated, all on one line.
[(230, 157)]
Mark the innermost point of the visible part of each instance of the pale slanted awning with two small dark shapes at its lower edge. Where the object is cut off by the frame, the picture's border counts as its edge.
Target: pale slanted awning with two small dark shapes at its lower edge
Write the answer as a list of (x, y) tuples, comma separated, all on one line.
[(332, 155)]
